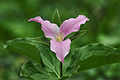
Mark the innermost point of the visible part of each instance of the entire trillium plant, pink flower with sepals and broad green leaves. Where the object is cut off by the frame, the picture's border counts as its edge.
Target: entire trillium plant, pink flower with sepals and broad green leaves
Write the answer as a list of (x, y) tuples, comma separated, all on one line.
[(42, 52)]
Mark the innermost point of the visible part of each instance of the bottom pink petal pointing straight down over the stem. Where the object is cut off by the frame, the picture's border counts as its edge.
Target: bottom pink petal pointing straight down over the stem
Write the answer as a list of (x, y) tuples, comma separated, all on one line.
[(60, 48)]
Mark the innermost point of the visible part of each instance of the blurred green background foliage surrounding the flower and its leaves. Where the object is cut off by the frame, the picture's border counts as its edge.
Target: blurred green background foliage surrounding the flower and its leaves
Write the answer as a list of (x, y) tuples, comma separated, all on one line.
[(103, 27)]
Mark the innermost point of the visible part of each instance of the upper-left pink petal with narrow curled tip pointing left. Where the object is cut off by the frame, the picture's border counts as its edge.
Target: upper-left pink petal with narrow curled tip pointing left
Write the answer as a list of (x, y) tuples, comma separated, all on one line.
[(49, 29)]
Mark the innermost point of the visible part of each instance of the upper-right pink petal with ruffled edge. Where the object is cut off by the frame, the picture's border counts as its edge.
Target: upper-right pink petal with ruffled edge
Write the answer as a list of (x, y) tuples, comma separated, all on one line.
[(72, 25)]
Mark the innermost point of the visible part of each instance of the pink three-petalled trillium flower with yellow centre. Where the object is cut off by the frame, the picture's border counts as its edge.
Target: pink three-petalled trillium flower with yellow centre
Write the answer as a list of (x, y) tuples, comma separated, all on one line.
[(57, 34)]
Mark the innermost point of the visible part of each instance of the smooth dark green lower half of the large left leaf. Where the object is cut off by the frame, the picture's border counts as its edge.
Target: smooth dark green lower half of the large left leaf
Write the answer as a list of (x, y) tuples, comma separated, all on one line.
[(24, 48)]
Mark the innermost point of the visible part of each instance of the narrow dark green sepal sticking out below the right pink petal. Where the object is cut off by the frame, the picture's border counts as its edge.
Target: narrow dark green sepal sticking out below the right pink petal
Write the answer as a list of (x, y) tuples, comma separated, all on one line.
[(75, 35)]
